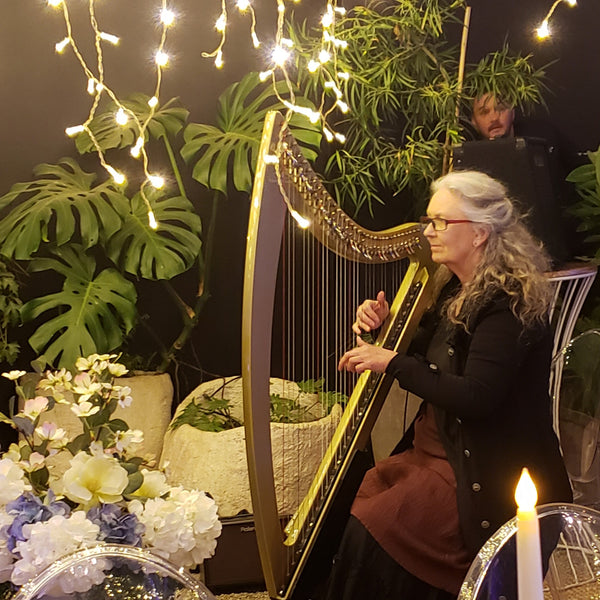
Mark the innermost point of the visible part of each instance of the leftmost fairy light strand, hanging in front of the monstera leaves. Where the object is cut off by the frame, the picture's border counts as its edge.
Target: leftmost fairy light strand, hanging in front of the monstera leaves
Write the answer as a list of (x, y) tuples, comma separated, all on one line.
[(96, 87)]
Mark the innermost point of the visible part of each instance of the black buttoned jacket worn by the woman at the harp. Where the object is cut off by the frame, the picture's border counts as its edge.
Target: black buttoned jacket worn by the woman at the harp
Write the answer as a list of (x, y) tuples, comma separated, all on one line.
[(489, 390)]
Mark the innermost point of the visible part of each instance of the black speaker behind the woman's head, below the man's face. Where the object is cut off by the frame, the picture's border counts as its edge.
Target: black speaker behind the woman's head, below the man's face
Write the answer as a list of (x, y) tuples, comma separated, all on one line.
[(523, 165)]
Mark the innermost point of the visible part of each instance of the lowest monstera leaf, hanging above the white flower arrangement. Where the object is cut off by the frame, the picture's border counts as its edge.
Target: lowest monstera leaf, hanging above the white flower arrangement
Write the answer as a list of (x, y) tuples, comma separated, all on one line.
[(94, 312)]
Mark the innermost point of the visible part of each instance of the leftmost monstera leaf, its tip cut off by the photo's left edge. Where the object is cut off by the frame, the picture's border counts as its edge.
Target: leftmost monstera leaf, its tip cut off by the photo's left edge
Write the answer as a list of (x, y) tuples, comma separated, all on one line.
[(62, 204)]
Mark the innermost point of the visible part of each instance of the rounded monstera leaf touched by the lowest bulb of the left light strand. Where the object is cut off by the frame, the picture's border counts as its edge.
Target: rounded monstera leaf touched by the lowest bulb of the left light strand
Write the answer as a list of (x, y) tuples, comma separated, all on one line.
[(162, 253)]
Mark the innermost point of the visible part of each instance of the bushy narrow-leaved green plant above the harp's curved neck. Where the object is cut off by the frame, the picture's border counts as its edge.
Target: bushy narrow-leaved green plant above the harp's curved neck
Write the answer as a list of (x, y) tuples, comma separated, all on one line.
[(404, 95)]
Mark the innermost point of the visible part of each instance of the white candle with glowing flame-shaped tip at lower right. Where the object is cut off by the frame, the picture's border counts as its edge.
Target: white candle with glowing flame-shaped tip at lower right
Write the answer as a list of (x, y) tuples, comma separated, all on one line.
[(529, 554)]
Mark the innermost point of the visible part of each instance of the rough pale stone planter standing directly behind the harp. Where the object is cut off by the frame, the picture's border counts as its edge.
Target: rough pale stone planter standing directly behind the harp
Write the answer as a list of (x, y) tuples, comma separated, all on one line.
[(216, 462)]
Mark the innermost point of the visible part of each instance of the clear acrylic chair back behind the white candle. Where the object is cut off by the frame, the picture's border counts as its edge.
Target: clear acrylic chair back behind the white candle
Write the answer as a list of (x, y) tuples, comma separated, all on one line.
[(570, 540)]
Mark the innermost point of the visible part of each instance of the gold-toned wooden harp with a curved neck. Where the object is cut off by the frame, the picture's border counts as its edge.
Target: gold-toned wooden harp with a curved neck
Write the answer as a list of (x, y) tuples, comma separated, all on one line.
[(285, 183)]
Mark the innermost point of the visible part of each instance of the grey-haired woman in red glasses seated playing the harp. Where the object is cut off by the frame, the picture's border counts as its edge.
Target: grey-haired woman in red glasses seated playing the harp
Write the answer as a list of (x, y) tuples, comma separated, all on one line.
[(481, 364)]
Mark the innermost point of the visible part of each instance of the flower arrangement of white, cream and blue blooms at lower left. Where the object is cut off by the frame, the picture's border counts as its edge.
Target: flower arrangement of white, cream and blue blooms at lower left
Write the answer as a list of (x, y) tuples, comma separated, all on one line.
[(106, 494)]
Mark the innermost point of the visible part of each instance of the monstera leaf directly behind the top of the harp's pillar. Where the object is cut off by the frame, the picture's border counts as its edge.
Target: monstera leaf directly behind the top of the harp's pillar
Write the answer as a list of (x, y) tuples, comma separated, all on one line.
[(234, 143)]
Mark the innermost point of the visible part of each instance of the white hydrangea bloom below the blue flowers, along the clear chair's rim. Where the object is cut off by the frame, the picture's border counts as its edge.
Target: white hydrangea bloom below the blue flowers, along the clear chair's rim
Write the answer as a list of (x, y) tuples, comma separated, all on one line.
[(48, 541)]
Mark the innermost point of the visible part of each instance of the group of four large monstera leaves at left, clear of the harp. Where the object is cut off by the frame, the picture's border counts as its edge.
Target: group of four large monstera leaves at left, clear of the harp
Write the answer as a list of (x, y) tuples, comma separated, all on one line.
[(95, 235)]
